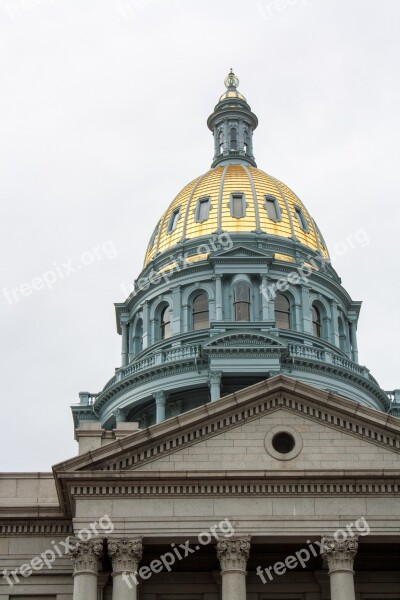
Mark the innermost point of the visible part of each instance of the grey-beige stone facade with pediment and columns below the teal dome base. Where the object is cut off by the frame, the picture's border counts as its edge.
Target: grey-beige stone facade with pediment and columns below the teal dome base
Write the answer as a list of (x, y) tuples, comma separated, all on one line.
[(139, 502)]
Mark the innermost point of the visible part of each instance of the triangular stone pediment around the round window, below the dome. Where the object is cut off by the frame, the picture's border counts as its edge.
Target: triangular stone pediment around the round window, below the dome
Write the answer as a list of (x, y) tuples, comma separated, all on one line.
[(335, 432)]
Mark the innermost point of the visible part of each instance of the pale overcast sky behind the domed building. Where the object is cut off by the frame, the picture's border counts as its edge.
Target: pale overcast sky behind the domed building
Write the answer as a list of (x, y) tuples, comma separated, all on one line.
[(103, 110)]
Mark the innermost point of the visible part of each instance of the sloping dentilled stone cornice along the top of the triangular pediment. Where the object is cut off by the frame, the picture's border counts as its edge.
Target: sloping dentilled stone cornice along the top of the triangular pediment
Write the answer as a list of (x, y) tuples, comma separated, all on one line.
[(230, 411)]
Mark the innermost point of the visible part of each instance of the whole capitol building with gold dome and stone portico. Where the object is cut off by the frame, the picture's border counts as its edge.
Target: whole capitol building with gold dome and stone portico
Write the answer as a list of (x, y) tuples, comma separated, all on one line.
[(239, 451)]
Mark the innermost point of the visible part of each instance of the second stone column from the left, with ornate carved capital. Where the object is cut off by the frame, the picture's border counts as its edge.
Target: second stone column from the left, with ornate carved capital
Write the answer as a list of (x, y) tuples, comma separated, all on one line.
[(125, 555)]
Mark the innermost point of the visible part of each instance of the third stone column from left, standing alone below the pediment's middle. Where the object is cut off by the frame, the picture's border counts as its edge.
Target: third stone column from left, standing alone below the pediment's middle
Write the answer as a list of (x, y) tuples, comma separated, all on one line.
[(233, 554)]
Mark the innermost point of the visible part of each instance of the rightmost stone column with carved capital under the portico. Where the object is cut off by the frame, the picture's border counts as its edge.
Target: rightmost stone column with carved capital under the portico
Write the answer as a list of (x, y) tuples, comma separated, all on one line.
[(339, 556)]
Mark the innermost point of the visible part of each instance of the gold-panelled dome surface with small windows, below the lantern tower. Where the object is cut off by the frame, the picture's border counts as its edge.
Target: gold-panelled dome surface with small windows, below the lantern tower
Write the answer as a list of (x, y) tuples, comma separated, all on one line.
[(289, 218)]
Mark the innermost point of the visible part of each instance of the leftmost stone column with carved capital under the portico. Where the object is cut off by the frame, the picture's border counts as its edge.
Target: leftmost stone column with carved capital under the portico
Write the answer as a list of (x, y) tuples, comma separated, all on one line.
[(86, 557)]
